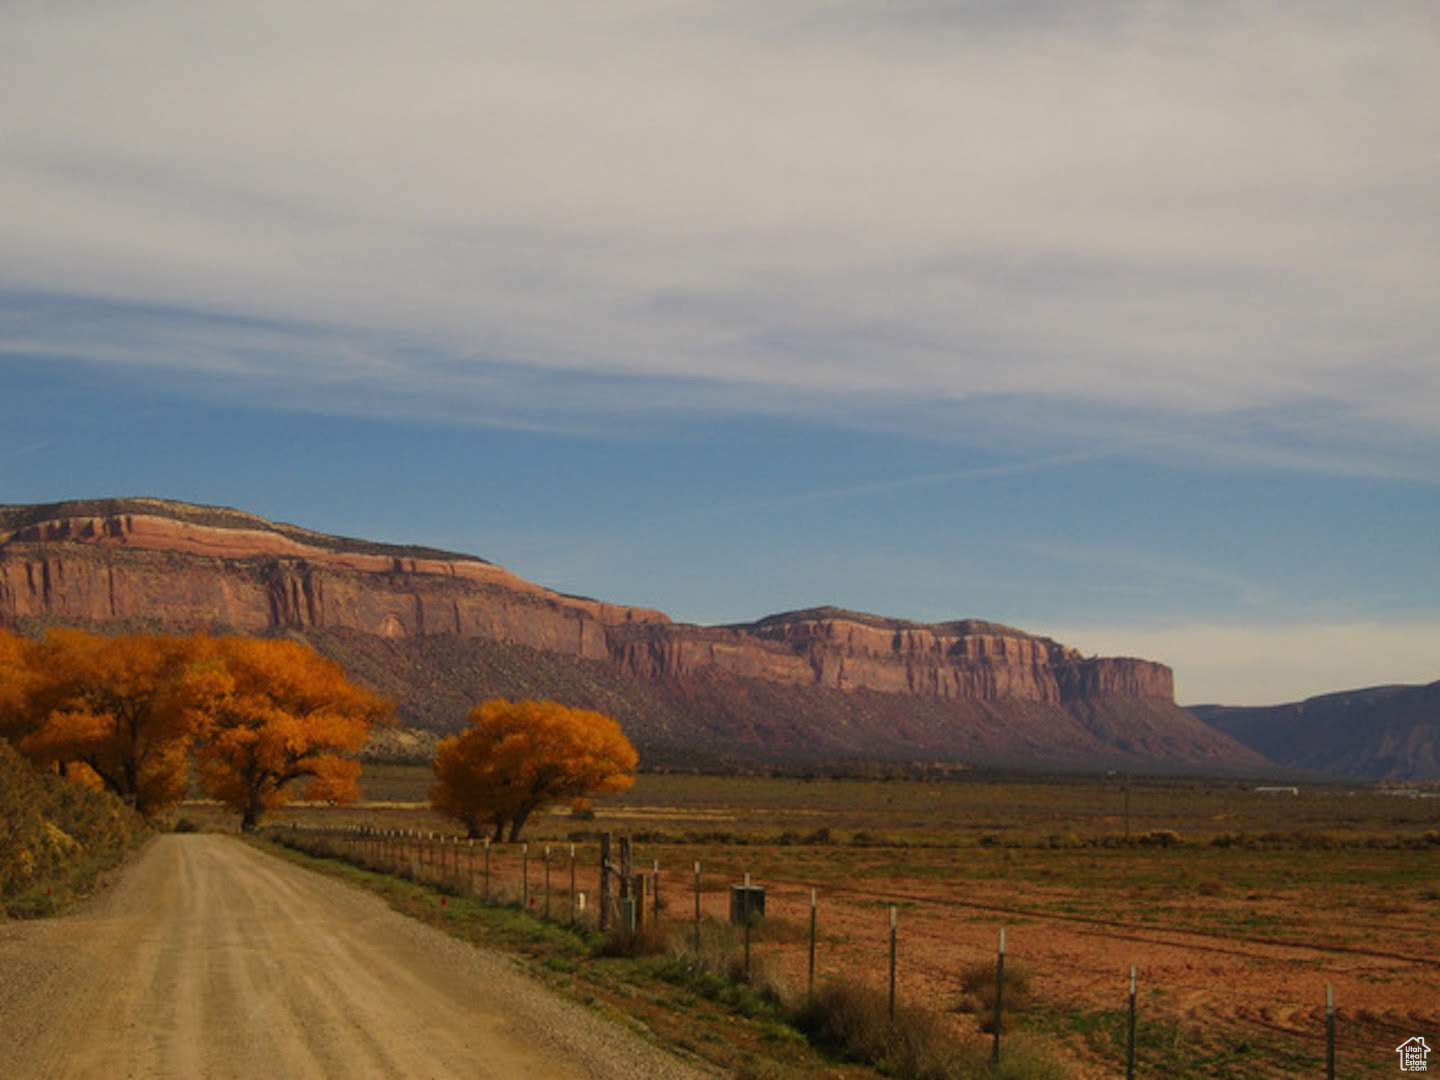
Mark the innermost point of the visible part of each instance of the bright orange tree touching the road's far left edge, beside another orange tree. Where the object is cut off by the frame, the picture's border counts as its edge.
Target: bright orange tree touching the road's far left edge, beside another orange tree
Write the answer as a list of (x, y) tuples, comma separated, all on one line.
[(277, 714)]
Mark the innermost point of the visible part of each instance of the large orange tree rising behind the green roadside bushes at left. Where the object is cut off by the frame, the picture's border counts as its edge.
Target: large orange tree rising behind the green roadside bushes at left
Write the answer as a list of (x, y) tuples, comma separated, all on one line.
[(119, 711)]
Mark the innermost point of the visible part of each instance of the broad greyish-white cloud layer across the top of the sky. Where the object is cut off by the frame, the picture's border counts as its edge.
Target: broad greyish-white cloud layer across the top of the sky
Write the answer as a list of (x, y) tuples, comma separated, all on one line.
[(1167, 211)]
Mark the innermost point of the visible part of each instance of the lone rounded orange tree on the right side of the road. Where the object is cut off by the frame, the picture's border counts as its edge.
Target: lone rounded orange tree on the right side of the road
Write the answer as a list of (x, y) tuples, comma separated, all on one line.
[(519, 757)]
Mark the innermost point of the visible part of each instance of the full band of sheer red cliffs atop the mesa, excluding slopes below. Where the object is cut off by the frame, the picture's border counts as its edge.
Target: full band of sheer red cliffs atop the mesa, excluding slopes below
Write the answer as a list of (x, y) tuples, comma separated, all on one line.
[(184, 567)]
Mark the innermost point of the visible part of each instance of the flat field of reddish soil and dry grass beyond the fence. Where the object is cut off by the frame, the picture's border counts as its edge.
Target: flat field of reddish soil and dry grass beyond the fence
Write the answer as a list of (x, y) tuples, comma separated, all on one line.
[(1238, 908)]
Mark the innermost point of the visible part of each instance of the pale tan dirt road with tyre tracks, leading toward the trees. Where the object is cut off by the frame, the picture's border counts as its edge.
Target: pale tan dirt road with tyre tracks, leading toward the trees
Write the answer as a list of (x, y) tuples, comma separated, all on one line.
[(212, 960)]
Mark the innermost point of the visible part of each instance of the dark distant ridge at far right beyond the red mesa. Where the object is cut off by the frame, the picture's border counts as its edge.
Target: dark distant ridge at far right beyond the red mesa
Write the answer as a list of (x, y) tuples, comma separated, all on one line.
[(1390, 732)]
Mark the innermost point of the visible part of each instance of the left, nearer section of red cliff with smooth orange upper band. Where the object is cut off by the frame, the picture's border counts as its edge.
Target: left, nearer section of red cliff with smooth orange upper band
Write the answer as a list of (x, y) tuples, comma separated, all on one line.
[(142, 561)]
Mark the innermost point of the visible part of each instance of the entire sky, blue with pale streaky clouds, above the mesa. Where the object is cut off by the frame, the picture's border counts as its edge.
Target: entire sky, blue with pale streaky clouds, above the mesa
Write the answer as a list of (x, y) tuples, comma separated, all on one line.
[(1114, 322)]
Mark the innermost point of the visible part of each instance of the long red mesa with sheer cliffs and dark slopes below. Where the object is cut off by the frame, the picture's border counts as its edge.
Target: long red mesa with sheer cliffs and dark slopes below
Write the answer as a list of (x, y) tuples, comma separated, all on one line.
[(438, 631)]
